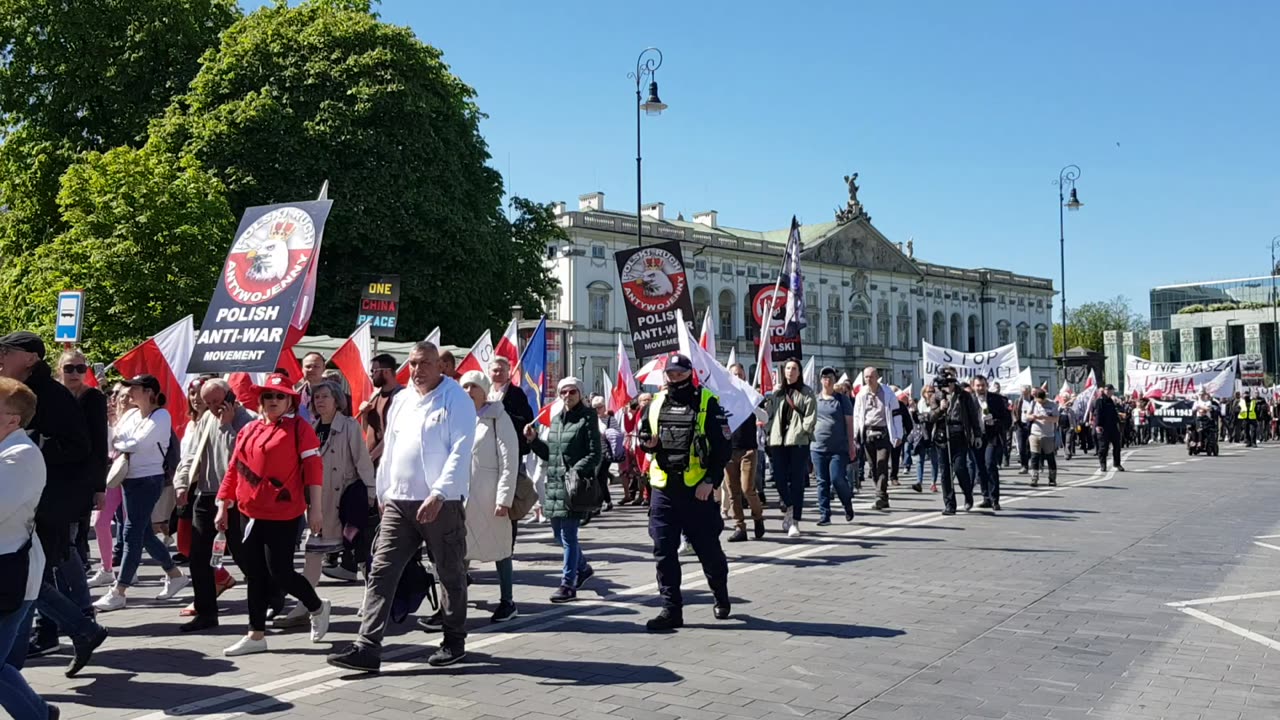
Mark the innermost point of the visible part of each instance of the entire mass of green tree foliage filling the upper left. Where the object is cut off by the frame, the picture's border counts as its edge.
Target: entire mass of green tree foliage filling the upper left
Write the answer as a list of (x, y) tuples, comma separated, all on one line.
[(198, 113)]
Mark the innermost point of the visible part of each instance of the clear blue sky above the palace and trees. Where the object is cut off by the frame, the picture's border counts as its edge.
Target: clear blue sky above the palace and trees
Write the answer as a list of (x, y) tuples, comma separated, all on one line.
[(958, 117)]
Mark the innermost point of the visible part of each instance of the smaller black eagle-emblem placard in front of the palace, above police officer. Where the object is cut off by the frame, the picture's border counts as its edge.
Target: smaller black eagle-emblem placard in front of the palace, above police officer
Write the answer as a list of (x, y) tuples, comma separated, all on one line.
[(655, 286)]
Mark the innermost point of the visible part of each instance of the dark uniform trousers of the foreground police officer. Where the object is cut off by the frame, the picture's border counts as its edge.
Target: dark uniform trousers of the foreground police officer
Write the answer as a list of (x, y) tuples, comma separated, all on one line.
[(674, 512)]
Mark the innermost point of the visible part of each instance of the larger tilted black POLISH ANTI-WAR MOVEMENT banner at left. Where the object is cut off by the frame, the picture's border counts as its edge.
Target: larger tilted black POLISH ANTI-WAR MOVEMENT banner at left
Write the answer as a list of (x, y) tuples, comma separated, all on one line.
[(259, 288)]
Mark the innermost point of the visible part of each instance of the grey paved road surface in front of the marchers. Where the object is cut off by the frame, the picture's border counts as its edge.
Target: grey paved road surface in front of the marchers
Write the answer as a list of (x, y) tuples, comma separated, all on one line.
[(1058, 608)]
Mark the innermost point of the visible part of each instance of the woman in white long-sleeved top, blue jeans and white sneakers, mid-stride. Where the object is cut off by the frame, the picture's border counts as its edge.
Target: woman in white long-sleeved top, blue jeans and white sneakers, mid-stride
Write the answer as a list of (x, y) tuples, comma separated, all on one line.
[(144, 436)]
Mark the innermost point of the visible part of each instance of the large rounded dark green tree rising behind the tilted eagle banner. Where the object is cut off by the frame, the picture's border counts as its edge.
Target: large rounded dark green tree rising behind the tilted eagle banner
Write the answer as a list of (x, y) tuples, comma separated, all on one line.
[(374, 111)]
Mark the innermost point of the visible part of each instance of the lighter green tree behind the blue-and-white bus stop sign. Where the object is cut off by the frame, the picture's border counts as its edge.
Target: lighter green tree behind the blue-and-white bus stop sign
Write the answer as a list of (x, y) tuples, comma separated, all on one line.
[(147, 239)]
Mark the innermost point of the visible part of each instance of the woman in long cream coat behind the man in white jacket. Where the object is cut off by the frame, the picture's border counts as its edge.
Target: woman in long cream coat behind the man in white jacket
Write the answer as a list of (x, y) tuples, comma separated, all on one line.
[(495, 467)]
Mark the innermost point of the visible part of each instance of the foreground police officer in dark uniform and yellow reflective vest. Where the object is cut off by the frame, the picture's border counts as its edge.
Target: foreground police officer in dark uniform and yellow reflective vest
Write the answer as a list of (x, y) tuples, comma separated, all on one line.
[(688, 436)]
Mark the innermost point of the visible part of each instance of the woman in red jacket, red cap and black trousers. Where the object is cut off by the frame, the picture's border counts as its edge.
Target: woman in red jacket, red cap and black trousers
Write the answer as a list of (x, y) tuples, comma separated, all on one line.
[(277, 459)]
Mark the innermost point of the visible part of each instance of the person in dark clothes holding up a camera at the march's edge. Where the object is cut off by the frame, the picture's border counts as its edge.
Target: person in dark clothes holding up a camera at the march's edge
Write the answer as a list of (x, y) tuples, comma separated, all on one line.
[(958, 430)]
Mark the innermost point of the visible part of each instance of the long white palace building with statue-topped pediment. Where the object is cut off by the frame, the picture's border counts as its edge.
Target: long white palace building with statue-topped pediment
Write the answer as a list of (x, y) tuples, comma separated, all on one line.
[(870, 302)]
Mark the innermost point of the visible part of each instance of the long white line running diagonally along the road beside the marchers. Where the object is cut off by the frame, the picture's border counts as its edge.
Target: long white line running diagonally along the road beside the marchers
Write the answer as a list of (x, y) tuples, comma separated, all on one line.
[(556, 618)]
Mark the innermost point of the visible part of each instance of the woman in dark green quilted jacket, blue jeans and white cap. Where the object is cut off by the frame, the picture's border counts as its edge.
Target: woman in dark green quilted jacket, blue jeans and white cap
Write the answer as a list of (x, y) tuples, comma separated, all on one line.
[(573, 446)]
